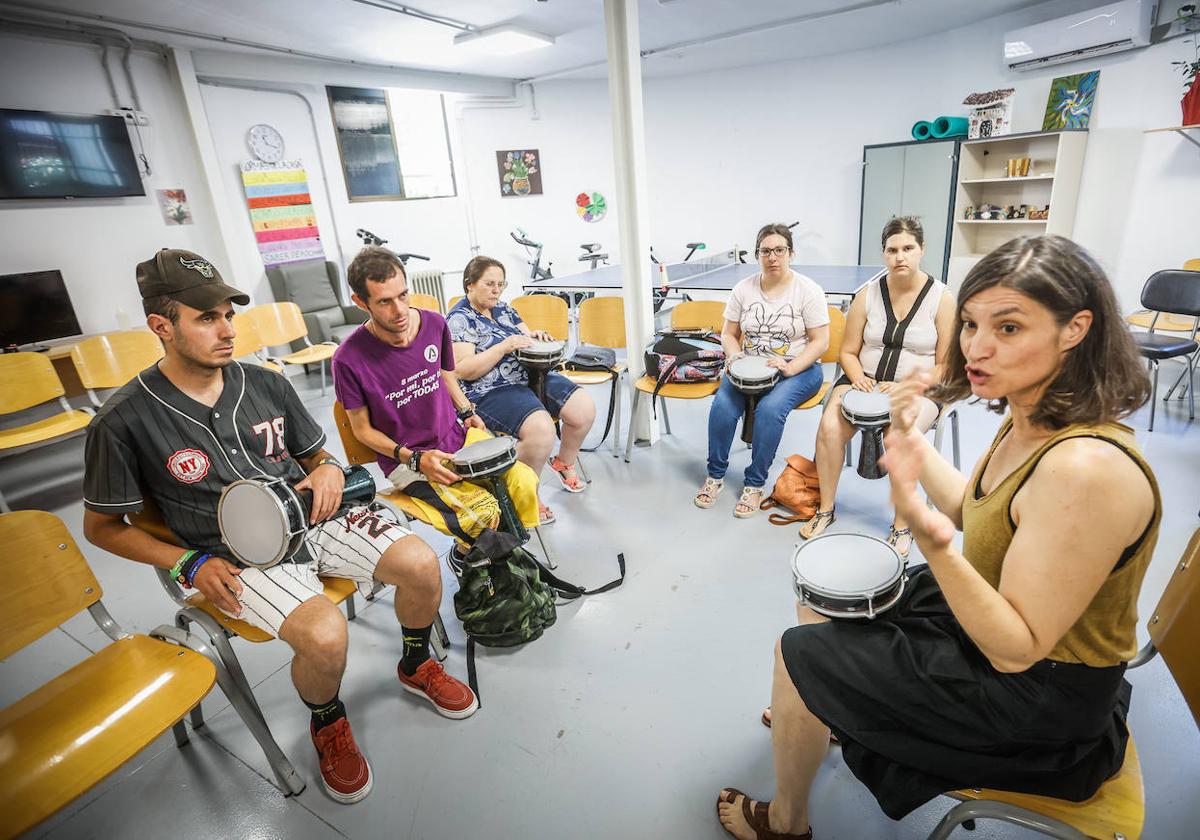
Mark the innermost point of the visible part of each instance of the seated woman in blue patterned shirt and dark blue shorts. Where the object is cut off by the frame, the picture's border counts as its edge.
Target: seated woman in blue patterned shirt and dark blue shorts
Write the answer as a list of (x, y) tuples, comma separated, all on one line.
[(487, 332)]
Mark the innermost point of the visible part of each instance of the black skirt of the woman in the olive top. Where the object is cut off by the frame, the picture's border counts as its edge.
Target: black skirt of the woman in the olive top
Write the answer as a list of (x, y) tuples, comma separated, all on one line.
[(921, 712)]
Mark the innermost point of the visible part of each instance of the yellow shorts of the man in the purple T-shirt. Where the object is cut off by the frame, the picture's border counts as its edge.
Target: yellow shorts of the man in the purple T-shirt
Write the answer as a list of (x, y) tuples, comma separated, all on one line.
[(464, 509)]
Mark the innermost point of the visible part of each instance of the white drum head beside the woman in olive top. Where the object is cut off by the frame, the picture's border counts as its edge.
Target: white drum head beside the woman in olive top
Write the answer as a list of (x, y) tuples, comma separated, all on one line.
[(847, 566)]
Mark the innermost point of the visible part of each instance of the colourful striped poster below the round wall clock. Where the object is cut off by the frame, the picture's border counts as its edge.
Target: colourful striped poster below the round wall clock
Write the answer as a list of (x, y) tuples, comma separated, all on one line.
[(281, 212)]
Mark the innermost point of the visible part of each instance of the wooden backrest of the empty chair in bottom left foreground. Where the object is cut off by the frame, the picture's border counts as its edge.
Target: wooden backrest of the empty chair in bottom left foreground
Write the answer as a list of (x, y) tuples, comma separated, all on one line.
[(47, 579)]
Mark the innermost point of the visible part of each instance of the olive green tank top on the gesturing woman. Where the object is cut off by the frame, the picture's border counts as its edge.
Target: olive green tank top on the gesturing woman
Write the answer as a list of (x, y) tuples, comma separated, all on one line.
[(1107, 632)]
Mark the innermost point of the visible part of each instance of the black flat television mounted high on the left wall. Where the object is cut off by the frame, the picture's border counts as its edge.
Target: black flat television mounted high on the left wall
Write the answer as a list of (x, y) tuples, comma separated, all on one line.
[(52, 155)]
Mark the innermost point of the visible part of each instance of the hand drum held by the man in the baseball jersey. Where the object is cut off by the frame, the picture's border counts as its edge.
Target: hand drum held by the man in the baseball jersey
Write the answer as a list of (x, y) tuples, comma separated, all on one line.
[(265, 521)]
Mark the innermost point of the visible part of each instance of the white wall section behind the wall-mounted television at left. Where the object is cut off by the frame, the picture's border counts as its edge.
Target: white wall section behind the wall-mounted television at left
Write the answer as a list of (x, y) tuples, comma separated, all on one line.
[(98, 243)]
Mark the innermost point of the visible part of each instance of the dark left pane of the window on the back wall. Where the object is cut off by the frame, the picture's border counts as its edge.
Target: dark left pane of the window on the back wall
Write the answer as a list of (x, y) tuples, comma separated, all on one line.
[(365, 143)]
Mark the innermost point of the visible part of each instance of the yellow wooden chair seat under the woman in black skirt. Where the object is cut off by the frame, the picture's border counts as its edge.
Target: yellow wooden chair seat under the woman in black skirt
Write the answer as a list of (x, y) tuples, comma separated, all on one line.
[(1118, 808)]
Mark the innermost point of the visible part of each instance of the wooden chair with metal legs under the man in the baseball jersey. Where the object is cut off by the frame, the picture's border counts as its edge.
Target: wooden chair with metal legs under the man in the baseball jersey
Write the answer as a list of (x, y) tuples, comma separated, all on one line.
[(196, 609)]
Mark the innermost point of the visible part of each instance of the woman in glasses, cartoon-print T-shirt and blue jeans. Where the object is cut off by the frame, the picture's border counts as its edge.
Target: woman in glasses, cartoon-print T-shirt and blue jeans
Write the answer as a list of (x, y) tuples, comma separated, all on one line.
[(783, 316)]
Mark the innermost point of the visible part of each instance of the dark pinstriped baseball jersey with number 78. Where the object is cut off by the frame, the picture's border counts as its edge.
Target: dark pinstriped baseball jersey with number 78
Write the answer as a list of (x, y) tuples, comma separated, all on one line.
[(152, 439)]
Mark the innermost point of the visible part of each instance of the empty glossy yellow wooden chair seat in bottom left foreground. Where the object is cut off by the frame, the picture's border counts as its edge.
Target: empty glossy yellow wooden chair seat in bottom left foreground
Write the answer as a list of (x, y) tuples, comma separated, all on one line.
[(74, 731)]
